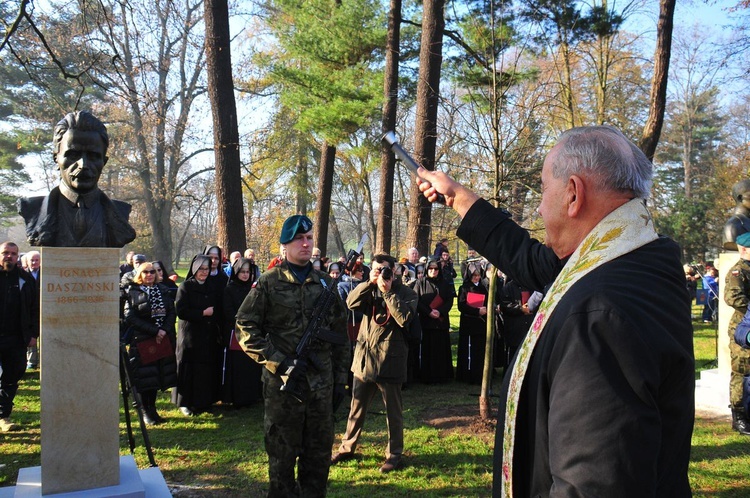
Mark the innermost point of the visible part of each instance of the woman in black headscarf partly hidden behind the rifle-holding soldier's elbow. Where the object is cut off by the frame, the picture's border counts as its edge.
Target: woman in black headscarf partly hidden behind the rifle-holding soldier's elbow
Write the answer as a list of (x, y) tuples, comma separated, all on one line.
[(240, 375)]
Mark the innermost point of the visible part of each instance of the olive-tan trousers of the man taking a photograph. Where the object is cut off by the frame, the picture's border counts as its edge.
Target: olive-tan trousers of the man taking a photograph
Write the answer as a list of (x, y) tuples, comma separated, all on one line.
[(362, 394)]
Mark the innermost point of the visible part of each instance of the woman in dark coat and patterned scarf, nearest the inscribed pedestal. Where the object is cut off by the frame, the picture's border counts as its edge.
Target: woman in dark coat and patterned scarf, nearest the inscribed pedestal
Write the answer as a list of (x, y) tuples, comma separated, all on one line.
[(150, 314)]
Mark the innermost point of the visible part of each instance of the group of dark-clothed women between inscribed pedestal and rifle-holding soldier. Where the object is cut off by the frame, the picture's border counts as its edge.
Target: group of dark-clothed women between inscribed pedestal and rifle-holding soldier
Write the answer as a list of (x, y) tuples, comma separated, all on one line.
[(200, 361)]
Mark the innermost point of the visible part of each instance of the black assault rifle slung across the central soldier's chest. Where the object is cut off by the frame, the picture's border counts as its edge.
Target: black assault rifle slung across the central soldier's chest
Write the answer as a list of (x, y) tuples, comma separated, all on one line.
[(316, 333)]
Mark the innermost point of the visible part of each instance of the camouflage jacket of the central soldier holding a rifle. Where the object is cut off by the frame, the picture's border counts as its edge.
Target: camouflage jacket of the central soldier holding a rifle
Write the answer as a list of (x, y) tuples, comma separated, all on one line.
[(273, 318)]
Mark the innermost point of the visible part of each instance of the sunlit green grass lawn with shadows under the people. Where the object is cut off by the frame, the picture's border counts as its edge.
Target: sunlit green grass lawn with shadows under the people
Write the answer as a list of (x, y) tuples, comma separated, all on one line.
[(448, 449)]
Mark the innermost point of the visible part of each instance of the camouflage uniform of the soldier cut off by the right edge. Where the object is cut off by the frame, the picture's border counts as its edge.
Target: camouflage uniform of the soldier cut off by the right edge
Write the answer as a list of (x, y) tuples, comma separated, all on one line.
[(737, 295)]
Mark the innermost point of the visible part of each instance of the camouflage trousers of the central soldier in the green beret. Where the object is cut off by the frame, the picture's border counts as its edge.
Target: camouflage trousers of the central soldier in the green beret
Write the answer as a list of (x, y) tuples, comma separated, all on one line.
[(298, 434)]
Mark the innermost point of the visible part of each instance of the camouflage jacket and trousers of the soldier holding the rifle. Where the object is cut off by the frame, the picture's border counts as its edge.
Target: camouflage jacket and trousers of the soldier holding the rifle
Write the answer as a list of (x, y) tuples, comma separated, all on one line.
[(271, 322)]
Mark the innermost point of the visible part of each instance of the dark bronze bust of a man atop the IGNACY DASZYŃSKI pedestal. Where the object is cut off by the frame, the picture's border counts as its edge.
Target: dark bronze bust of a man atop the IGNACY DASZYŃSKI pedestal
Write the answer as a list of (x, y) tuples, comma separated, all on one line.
[(77, 213)]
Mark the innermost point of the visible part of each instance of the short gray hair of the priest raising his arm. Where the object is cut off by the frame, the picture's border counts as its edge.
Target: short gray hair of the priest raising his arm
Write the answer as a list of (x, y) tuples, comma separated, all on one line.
[(605, 155)]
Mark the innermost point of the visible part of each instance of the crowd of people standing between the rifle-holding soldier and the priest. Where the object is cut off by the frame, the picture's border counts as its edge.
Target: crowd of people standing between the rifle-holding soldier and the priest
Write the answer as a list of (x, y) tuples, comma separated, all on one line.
[(441, 288)]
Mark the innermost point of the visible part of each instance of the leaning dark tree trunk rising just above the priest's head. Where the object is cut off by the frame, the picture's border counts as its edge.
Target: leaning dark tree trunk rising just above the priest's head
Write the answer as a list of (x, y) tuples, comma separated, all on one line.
[(658, 100)]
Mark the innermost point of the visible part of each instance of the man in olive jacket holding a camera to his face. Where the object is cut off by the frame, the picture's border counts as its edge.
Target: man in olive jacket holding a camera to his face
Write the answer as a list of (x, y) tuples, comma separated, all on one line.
[(379, 357)]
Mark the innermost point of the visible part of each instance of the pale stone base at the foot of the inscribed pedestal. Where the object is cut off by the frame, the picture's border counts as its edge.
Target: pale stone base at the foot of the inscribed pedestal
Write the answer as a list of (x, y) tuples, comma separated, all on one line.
[(134, 483)]
